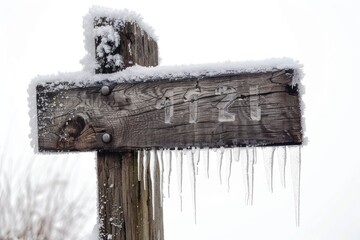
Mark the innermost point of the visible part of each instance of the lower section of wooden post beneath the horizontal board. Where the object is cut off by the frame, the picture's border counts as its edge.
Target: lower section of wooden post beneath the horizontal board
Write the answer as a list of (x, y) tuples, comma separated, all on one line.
[(125, 206)]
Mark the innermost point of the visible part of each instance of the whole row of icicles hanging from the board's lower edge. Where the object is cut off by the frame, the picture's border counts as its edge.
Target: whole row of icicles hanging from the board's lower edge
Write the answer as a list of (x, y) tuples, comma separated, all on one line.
[(163, 157)]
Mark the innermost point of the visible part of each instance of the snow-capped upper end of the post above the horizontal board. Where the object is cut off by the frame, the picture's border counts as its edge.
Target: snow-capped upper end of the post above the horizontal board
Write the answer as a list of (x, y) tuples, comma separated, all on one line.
[(113, 31)]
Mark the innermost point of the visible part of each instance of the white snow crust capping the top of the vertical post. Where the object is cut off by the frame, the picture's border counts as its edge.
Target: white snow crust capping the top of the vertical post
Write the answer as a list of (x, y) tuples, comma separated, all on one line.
[(90, 32)]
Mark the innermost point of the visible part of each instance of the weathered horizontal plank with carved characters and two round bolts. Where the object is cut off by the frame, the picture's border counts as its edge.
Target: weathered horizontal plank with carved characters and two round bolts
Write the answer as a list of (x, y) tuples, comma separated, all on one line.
[(157, 113)]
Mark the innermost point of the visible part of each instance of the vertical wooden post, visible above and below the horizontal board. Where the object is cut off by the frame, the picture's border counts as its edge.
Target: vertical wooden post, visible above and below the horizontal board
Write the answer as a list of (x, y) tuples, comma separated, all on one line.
[(125, 206)]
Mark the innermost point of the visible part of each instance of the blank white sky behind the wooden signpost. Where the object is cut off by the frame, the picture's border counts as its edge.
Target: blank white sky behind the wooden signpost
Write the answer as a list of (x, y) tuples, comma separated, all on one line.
[(44, 37)]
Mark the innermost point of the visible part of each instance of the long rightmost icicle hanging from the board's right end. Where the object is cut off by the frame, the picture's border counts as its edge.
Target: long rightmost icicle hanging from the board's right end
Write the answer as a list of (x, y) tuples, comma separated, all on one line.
[(295, 163)]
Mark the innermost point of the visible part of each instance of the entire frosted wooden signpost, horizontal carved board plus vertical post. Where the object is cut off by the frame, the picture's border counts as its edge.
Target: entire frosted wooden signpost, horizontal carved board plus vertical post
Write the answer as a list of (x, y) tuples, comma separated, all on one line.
[(118, 116)]
